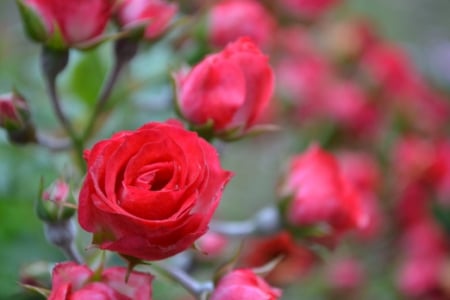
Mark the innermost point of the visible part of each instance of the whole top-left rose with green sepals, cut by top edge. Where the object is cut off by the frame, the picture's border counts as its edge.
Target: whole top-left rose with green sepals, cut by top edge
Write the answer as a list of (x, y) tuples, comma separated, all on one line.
[(64, 24)]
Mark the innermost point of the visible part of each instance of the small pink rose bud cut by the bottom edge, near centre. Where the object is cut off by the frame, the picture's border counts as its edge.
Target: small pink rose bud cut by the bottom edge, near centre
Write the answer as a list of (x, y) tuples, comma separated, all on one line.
[(244, 284)]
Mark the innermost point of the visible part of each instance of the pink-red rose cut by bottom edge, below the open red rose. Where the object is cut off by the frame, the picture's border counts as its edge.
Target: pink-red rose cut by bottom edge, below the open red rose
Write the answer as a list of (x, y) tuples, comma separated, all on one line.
[(72, 281)]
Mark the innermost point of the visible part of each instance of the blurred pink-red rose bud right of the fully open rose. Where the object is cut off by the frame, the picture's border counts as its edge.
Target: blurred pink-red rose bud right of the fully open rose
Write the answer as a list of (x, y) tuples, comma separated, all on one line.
[(316, 193)]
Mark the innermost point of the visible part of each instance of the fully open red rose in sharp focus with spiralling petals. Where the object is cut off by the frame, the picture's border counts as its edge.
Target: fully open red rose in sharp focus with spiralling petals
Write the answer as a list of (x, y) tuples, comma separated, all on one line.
[(150, 193)]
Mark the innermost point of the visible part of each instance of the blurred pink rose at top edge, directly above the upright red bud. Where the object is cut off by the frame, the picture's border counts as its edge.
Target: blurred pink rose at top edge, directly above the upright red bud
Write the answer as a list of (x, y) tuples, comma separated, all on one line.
[(229, 20)]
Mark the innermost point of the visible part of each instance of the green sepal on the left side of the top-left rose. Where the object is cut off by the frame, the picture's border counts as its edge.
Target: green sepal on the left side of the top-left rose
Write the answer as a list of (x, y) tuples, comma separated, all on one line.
[(34, 26)]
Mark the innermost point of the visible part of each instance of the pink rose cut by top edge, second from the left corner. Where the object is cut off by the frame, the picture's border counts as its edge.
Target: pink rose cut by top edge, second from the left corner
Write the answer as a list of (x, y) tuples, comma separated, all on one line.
[(158, 14)]
